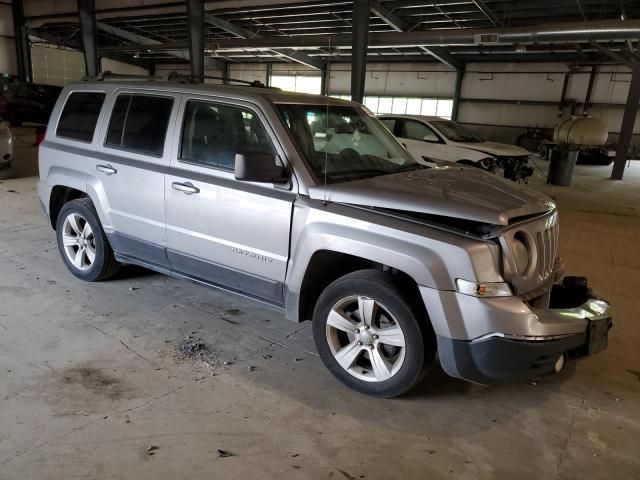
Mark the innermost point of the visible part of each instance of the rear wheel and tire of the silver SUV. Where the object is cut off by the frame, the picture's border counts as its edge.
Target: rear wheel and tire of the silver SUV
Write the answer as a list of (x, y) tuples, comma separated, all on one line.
[(90, 258)]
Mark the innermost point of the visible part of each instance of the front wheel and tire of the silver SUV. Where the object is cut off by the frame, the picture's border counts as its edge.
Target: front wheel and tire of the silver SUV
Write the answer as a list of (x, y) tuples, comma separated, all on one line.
[(346, 344)]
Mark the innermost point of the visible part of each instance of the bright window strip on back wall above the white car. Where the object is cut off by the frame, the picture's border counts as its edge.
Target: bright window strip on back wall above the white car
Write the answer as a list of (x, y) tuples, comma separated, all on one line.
[(441, 107)]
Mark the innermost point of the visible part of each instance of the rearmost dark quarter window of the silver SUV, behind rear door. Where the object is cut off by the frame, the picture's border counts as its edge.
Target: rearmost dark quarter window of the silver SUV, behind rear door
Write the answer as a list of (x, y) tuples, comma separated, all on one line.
[(80, 116)]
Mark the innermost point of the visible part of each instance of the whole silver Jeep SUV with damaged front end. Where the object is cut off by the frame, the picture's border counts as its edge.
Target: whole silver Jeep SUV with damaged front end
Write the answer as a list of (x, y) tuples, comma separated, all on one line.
[(310, 205)]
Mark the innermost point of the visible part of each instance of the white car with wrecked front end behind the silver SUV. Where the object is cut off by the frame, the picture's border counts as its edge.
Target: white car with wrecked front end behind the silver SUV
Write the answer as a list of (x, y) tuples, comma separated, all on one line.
[(436, 140)]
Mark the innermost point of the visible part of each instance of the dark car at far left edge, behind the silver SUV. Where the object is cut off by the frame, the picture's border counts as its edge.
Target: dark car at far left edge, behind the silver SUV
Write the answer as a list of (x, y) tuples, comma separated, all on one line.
[(28, 102)]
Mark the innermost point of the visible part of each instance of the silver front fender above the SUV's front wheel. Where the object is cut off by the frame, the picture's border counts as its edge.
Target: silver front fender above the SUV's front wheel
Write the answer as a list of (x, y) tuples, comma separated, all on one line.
[(432, 258)]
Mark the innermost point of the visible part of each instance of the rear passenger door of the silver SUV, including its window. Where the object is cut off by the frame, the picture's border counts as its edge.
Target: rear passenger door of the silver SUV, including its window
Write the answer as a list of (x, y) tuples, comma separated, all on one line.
[(127, 173)]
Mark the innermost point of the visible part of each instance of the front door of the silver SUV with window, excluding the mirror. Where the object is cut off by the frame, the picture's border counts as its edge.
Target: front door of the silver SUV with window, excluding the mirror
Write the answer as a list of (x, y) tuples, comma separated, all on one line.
[(219, 230)]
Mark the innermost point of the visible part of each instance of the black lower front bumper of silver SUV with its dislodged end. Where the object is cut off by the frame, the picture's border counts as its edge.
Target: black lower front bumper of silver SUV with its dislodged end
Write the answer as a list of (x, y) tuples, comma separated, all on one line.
[(499, 358)]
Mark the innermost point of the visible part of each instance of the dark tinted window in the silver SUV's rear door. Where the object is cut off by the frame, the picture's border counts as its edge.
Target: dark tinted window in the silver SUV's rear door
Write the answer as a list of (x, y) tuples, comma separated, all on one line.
[(139, 123)]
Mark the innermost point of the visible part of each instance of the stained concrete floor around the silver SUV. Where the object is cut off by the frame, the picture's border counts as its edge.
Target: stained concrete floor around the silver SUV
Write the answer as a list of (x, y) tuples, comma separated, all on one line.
[(89, 379)]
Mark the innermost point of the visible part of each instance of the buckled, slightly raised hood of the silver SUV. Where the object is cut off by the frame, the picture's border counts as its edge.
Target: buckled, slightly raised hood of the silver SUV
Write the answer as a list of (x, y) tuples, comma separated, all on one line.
[(465, 193)]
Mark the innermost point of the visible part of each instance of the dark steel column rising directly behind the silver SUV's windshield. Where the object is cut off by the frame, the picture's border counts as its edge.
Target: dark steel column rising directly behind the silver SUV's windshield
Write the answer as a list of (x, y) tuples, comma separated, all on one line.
[(360, 37)]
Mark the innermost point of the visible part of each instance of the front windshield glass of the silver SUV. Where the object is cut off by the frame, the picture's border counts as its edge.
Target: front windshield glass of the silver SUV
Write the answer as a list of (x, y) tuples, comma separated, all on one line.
[(344, 142)]
